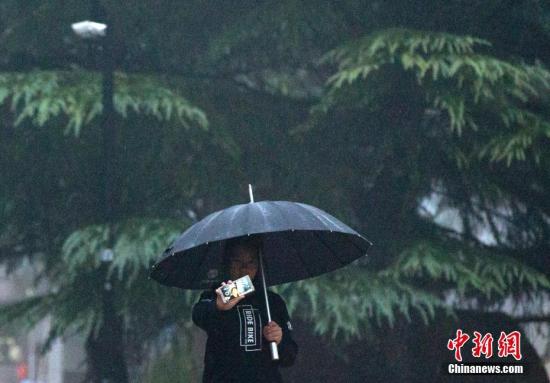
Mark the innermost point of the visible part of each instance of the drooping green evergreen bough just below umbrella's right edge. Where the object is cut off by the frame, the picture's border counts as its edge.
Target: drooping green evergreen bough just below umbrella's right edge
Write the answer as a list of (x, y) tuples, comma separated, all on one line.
[(344, 302)]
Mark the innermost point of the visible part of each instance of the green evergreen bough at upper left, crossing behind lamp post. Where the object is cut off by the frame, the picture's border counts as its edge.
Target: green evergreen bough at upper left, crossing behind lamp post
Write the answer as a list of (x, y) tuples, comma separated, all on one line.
[(76, 95)]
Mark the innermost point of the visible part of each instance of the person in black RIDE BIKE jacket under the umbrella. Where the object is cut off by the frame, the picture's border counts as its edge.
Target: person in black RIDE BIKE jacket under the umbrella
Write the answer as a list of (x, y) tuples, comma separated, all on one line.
[(238, 331)]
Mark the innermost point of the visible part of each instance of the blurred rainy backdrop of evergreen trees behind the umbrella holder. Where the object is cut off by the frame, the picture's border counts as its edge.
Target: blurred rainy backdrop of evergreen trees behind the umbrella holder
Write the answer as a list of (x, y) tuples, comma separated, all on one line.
[(424, 125)]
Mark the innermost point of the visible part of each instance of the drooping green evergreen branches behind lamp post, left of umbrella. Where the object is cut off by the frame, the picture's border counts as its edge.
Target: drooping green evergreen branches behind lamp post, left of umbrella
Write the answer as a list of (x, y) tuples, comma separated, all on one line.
[(76, 304)]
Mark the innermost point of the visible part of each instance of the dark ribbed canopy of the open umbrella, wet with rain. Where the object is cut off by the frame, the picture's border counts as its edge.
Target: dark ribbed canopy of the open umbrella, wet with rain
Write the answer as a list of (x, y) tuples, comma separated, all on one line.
[(299, 241)]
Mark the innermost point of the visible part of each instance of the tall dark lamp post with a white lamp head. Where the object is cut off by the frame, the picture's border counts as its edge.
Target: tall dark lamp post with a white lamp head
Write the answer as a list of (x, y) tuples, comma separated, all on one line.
[(105, 351)]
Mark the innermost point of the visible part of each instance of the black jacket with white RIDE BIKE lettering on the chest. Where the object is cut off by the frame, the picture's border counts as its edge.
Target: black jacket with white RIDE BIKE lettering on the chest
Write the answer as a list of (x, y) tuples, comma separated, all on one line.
[(236, 350)]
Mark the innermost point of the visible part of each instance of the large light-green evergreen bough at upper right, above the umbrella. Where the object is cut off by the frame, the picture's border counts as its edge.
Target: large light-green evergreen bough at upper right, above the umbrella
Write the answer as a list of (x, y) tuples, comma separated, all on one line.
[(453, 77)]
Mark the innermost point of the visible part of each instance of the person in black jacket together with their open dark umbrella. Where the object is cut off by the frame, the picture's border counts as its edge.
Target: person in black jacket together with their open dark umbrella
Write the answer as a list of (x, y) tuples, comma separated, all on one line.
[(293, 240)]
